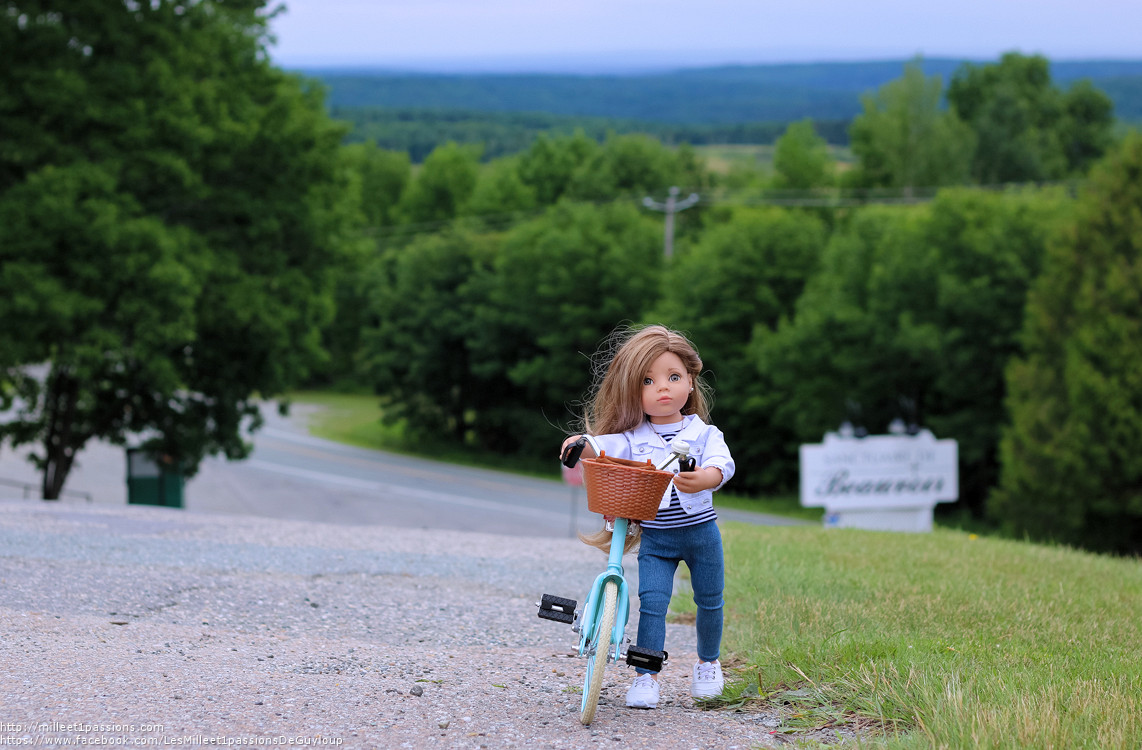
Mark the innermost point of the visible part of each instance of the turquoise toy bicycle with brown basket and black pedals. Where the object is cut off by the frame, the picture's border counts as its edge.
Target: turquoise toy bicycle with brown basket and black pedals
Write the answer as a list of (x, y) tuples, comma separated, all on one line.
[(629, 491)]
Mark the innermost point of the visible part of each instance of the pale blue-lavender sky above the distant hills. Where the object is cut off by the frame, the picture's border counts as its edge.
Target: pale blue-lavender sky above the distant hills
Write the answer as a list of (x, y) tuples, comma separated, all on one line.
[(622, 36)]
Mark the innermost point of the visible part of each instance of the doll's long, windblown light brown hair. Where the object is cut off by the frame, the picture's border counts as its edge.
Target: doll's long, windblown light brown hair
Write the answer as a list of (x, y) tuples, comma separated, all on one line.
[(615, 405)]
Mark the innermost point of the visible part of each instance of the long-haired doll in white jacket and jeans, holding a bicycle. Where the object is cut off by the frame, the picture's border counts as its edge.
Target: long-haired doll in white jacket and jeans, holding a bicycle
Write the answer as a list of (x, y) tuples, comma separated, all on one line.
[(648, 393)]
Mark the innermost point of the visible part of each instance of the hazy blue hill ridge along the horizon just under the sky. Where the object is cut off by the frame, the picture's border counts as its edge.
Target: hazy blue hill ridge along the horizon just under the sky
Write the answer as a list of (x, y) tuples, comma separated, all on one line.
[(826, 92)]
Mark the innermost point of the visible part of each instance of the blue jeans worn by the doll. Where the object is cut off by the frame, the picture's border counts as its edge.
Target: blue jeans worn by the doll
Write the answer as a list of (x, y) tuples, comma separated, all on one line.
[(660, 553)]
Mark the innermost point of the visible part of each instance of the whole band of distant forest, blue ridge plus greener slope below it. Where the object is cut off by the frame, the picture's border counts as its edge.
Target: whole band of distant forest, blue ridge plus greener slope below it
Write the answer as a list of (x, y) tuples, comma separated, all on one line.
[(719, 106)]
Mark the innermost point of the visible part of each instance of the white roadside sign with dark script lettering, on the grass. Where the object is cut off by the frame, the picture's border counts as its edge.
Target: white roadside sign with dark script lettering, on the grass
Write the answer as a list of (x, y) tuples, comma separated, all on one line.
[(890, 482)]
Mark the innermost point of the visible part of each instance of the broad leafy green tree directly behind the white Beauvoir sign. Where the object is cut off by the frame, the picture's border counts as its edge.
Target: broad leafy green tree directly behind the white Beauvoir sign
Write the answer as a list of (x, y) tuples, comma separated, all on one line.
[(915, 314)]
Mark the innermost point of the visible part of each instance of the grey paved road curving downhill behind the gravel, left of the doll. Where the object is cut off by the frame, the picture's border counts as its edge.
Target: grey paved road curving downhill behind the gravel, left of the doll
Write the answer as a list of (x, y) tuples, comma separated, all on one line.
[(295, 477)]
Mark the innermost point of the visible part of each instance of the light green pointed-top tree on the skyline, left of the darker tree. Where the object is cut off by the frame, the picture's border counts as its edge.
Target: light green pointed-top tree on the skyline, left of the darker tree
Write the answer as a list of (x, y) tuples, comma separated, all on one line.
[(904, 139)]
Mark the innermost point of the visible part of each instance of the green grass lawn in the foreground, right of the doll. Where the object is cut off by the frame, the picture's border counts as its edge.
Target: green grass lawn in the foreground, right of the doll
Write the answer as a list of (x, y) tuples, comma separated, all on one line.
[(937, 641)]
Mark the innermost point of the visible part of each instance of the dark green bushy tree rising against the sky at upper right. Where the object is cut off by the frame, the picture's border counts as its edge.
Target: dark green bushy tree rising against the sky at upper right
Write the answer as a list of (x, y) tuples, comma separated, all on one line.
[(1026, 130)]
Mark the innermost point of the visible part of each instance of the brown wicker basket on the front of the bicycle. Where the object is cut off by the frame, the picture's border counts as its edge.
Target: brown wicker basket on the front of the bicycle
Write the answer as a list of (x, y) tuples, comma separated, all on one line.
[(624, 489)]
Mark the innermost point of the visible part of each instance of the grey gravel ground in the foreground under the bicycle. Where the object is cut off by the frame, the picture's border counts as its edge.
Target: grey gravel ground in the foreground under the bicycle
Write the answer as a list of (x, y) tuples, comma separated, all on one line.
[(135, 626)]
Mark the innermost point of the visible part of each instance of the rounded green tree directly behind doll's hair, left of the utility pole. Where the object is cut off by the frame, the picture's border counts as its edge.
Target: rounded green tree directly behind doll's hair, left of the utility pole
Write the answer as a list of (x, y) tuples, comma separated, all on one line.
[(558, 286)]
